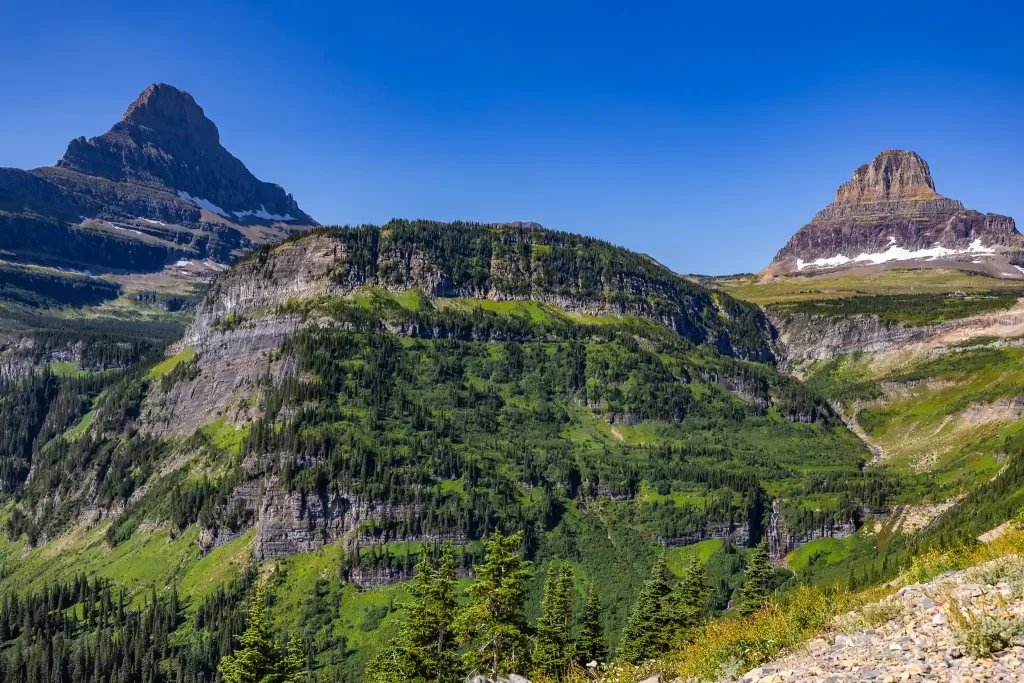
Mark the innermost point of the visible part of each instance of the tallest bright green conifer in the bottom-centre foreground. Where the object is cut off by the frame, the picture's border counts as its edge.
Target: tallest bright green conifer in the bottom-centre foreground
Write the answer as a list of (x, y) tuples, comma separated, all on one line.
[(494, 623)]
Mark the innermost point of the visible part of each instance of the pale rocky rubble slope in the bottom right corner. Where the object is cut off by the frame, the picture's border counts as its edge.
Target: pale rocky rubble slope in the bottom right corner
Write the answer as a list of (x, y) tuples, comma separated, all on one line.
[(962, 627)]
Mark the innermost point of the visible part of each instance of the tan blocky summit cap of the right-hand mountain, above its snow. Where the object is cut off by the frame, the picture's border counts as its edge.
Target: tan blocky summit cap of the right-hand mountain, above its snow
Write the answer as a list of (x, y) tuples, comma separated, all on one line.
[(892, 176)]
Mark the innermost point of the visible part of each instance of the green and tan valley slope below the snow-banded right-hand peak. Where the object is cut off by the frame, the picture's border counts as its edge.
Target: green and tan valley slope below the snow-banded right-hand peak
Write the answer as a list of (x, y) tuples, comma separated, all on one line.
[(924, 365)]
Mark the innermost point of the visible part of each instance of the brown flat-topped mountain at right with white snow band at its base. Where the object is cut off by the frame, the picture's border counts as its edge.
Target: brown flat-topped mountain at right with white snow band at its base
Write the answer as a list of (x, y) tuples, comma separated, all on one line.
[(891, 214)]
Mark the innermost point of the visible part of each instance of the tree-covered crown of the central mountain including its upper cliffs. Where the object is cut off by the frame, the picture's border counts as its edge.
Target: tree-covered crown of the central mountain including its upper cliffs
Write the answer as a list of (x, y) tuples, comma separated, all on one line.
[(514, 262)]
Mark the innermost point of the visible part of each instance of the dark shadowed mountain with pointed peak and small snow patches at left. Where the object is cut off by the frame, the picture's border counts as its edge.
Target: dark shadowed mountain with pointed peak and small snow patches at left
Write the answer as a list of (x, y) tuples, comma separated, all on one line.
[(156, 189)]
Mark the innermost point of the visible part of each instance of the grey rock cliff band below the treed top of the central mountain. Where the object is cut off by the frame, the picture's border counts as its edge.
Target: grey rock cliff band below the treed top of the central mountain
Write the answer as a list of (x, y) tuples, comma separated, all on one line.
[(328, 265)]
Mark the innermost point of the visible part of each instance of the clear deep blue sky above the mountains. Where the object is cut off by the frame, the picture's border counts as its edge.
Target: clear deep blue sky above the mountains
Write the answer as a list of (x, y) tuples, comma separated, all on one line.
[(702, 134)]
